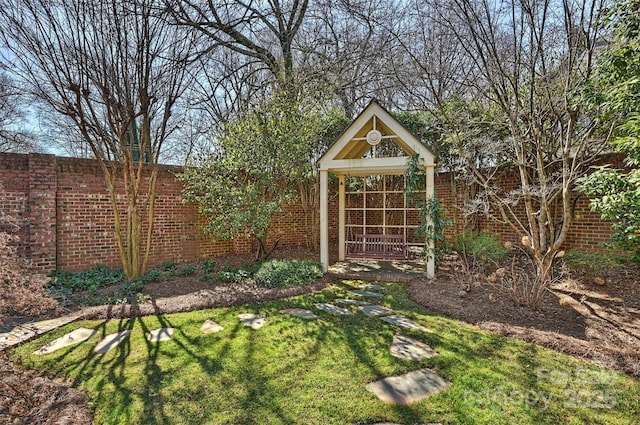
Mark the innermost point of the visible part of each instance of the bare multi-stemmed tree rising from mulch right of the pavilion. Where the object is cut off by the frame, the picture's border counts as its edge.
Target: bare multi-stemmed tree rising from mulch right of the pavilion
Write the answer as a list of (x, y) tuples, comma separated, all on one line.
[(527, 59)]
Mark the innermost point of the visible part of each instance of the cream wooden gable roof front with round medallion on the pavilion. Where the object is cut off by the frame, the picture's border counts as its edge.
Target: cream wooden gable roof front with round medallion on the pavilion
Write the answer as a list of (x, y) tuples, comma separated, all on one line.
[(374, 123)]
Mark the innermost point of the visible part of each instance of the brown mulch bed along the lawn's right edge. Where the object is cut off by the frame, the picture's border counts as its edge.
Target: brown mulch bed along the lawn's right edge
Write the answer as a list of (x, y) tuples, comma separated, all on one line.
[(577, 316)]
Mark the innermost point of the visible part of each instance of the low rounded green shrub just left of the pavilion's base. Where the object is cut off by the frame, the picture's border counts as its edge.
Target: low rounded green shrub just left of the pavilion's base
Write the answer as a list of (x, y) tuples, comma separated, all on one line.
[(285, 273)]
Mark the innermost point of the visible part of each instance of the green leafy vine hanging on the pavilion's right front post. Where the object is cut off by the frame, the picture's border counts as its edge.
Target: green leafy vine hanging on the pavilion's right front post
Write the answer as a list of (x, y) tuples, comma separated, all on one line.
[(433, 220)]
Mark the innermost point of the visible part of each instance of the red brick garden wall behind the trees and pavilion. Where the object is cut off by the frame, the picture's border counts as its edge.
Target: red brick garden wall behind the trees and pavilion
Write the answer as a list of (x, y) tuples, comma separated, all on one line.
[(64, 213)]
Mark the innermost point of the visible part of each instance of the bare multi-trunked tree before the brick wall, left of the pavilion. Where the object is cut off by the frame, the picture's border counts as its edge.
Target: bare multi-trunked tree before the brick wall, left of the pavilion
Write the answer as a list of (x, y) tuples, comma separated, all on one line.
[(116, 71)]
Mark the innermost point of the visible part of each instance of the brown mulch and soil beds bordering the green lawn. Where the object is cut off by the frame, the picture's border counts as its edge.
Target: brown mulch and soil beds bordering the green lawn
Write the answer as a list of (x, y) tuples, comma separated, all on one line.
[(600, 323)]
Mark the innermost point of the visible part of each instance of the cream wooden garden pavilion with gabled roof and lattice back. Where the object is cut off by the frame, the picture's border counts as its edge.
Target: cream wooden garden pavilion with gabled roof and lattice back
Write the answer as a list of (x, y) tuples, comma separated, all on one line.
[(369, 160)]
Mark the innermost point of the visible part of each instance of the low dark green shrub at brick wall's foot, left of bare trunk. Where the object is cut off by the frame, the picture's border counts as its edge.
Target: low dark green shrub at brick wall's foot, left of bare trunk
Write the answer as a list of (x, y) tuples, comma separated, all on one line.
[(91, 279)]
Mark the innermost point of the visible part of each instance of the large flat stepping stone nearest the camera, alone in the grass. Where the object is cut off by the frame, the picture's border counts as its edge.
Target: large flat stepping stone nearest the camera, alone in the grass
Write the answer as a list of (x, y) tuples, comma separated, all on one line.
[(408, 388)]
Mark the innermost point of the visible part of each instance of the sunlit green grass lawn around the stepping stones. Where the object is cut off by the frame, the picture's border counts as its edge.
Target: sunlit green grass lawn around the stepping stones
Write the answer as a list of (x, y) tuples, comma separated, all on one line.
[(296, 371)]
